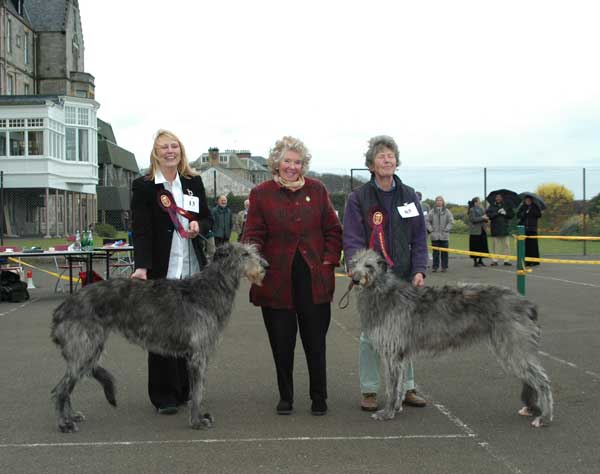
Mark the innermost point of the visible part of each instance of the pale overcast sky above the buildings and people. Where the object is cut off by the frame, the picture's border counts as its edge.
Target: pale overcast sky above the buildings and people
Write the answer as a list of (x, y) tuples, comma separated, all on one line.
[(457, 84)]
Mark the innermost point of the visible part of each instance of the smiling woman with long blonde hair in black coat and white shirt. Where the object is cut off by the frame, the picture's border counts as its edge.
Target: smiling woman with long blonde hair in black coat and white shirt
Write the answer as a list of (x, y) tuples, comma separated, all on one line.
[(168, 247)]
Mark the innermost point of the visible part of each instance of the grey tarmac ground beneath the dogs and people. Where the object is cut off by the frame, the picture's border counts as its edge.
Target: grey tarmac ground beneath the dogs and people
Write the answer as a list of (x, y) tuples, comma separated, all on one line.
[(471, 425)]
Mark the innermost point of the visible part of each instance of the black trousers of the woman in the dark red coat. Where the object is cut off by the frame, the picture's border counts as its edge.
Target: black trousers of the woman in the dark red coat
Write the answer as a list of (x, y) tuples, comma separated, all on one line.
[(282, 326)]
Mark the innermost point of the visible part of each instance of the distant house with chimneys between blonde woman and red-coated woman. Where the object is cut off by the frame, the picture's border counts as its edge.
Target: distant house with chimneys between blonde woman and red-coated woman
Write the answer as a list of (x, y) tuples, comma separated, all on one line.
[(231, 171)]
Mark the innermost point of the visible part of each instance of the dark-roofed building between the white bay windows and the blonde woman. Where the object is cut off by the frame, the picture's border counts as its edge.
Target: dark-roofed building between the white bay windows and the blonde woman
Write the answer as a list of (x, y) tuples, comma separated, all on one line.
[(117, 169)]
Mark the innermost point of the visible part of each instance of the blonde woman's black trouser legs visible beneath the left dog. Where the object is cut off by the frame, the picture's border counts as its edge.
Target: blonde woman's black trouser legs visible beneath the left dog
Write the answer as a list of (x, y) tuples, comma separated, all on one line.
[(168, 383)]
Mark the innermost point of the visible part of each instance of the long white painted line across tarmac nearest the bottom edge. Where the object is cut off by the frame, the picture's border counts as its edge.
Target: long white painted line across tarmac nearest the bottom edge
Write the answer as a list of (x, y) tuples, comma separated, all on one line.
[(232, 440)]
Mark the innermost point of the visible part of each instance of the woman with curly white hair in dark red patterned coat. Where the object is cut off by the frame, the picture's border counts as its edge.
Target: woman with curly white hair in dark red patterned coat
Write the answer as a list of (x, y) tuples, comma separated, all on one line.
[(292, 221)]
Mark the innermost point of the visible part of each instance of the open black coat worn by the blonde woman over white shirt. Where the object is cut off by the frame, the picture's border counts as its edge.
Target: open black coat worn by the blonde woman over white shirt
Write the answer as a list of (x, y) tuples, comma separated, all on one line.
[(153, 229)]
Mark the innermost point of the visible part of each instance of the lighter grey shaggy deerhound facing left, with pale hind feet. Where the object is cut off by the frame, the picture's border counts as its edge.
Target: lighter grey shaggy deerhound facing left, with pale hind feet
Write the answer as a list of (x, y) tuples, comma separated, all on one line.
[(402, 321)]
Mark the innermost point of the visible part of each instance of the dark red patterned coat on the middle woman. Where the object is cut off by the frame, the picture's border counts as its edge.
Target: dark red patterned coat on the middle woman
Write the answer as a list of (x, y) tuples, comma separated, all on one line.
[(280, 222)]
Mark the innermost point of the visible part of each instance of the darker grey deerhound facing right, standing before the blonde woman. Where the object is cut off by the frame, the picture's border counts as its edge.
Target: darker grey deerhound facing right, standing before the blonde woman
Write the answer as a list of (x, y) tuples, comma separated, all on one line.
[(172, 317)]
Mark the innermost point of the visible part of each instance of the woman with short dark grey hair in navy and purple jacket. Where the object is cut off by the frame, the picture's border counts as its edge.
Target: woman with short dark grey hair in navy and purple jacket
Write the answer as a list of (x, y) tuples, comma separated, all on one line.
[(386, 210)]
